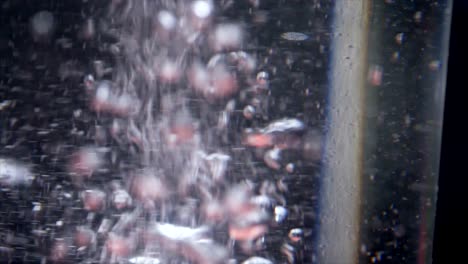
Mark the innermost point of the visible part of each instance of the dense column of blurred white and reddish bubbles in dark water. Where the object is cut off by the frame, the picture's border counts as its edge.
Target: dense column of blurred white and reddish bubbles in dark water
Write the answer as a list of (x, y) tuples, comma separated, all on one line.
[(183, 114)]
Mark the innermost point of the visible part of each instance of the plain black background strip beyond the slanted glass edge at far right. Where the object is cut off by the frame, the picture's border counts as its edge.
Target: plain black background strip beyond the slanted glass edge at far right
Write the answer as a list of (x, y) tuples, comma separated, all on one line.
[(452, 205)]
